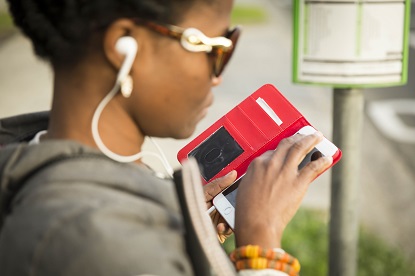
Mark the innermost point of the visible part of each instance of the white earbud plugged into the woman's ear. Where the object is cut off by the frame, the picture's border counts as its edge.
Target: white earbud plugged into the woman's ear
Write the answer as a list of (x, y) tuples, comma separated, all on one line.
[(126, 46)]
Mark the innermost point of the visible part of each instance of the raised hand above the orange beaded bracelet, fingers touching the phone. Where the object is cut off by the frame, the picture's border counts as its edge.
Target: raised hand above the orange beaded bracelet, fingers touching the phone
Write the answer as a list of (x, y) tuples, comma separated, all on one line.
[(271, 192)]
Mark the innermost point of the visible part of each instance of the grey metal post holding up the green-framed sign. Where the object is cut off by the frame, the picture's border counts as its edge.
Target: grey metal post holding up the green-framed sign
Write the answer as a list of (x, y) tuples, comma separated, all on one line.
[(344, 222)]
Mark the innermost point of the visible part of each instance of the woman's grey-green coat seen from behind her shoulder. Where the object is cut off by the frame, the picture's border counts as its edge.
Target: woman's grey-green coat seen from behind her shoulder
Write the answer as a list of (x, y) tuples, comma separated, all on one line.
[(80, 213)]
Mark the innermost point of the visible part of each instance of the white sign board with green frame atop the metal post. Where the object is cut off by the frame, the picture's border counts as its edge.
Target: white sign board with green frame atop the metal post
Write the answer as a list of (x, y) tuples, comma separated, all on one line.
[(351, 43)]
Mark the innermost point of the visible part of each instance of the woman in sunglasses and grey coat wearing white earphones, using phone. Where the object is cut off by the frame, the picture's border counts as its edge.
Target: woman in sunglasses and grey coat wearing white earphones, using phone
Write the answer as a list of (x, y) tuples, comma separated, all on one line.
[(124, 70)]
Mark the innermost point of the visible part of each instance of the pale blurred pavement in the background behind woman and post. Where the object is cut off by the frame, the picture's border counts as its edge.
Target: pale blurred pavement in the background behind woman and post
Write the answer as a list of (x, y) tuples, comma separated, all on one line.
[(263, 55)]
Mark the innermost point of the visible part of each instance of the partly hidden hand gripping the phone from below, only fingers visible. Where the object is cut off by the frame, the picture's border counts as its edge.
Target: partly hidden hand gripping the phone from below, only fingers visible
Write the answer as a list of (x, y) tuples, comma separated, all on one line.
[(211, 190)]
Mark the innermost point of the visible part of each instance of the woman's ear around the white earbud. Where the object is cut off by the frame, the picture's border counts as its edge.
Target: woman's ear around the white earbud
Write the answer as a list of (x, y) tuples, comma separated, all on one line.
[(117, 30)]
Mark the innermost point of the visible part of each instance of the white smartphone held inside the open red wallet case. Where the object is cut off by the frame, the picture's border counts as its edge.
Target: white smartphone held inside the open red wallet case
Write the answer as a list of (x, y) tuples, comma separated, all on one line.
[(225, 202)]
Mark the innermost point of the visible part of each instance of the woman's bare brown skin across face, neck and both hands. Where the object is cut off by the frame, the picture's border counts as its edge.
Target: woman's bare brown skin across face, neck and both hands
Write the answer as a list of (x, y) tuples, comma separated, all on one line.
[(168, 78)]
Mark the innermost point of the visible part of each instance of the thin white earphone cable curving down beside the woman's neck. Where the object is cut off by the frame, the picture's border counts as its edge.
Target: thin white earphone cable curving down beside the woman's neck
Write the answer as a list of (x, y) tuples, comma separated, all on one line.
[(113, 155)]
